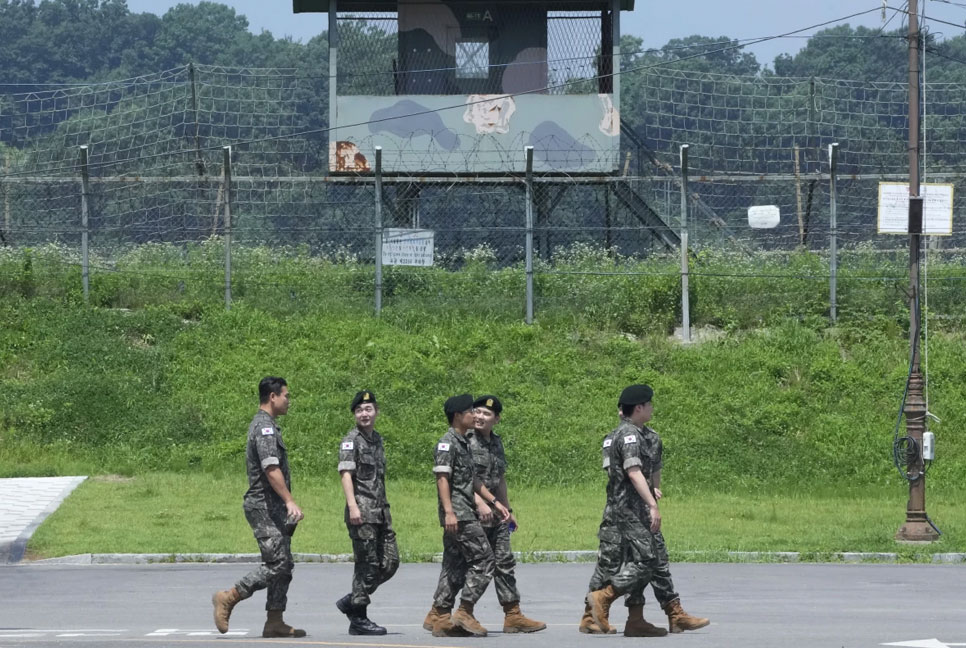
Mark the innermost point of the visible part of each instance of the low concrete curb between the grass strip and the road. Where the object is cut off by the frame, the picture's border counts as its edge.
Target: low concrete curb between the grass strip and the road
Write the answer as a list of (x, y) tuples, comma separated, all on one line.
[(849, 557)]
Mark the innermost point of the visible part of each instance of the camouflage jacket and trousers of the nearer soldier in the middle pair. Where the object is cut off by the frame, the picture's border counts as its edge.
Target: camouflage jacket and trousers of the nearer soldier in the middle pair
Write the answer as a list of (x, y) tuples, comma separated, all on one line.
[(467, 555)]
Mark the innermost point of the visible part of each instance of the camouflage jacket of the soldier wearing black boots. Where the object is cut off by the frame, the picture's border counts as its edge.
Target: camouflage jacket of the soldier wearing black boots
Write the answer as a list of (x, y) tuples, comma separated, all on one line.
[(365, 458)]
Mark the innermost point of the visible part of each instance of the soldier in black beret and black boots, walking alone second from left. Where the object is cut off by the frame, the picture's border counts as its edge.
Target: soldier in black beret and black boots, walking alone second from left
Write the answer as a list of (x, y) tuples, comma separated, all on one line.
[(362, 465)]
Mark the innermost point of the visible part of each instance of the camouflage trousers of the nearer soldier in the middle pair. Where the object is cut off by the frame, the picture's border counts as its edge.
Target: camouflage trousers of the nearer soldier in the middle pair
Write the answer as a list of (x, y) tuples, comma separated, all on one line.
[(467, 565)]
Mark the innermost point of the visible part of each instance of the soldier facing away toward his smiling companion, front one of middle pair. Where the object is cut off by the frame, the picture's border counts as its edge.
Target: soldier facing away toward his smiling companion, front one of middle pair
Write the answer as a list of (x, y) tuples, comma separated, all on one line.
[(467, 555)]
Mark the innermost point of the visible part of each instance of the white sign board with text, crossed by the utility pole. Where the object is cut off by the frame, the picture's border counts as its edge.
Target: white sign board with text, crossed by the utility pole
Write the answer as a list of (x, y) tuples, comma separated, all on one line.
[(937, 208)]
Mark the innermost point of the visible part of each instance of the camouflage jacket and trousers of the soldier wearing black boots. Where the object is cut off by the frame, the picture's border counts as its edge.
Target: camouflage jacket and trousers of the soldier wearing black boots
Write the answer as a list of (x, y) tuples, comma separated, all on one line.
[(374, 541)]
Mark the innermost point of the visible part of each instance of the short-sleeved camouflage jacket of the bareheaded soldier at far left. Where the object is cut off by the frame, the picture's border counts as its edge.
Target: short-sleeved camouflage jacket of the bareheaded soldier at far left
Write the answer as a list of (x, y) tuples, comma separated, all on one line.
[(265, 448)]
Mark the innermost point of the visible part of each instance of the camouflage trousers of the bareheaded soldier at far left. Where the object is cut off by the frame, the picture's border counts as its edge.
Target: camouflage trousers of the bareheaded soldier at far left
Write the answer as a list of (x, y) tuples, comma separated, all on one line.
[(275, 572)]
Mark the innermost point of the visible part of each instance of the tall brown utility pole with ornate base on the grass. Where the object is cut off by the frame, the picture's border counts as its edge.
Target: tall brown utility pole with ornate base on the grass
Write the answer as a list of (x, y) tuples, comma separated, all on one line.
[(917, 527)]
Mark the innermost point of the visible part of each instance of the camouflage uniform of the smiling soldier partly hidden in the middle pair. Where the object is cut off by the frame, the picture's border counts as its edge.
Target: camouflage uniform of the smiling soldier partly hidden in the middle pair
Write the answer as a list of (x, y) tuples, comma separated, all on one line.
[(490, 461)]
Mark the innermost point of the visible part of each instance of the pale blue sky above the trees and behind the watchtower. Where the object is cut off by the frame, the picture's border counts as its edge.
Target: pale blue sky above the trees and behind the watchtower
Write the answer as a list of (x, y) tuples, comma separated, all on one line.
[(658, 21)]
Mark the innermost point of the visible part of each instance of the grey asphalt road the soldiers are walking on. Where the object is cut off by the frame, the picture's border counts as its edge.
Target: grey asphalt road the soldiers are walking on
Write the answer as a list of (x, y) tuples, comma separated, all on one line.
[(750, 605)]
